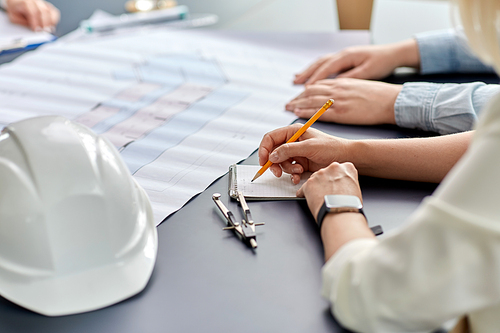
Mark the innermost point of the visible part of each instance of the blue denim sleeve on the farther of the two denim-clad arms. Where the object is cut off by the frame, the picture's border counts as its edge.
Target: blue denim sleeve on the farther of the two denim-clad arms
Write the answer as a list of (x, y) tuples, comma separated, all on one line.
[(445, 51)]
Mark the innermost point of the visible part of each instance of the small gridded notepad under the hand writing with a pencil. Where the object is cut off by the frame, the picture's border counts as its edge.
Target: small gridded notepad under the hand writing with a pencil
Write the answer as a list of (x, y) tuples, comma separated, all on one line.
[(266, 187)]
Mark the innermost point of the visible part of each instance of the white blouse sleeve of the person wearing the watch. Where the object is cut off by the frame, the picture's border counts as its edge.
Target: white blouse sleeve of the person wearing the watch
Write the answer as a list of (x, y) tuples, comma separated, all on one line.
[(443, 263)]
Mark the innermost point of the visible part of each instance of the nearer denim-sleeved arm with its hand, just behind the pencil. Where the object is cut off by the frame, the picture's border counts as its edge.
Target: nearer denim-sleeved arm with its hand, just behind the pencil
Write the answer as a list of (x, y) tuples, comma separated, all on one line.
[(441, 108)]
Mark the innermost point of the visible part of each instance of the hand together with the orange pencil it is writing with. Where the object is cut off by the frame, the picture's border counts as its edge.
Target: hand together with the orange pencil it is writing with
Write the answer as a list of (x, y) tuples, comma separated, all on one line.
[(279, 151)]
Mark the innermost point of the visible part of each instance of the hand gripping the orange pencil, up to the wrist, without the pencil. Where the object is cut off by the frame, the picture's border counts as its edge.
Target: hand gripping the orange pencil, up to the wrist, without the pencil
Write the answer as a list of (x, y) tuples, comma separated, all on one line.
[(314, 150)]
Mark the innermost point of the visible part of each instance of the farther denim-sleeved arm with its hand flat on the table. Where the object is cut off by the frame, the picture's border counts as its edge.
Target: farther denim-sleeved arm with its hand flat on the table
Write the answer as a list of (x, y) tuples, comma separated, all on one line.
[(432, 52)]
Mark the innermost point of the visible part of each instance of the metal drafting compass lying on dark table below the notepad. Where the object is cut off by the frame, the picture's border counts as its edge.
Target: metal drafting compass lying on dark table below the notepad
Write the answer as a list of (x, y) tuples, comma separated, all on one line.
[(245, 230)]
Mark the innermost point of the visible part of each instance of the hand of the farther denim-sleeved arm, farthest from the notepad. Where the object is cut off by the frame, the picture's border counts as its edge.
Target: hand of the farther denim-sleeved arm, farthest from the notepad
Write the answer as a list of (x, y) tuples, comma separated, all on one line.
[(362, 62)]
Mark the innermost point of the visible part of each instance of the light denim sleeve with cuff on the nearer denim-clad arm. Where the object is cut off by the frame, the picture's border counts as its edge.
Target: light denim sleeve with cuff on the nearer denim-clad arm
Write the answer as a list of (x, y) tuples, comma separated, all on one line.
[(442, 108)]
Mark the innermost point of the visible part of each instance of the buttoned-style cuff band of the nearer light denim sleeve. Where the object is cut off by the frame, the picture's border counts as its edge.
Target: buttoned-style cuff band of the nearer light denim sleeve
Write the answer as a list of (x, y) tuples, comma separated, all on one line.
[(413, 107)]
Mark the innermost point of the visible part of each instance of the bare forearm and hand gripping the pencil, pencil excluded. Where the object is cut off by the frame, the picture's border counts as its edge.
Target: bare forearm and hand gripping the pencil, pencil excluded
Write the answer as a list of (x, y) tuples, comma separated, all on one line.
[(415, 159)]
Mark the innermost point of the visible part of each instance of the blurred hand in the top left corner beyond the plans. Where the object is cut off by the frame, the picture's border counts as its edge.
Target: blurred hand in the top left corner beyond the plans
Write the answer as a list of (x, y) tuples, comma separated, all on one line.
[(35, 14)]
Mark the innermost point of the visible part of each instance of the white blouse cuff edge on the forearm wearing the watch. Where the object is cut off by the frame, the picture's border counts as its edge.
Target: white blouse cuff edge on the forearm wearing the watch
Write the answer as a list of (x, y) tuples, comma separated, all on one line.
[(333, 267)]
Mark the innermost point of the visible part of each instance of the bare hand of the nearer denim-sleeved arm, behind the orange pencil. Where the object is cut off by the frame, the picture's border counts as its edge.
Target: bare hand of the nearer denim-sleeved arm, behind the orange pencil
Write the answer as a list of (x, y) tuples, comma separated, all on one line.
[(359, 102)]
